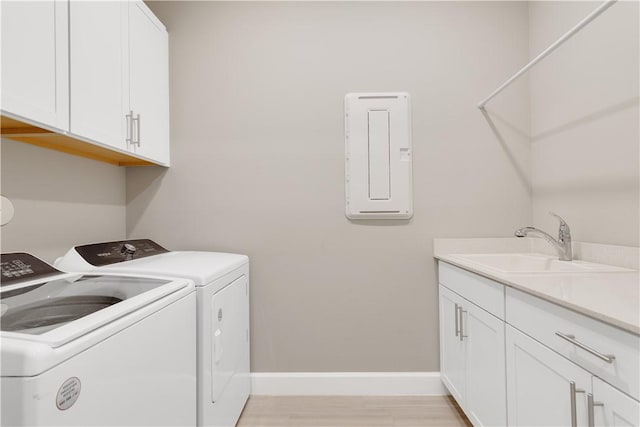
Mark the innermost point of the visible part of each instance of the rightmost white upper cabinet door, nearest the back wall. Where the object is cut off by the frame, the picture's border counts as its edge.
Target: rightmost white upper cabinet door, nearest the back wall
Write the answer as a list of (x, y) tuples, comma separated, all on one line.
[(149, 83)]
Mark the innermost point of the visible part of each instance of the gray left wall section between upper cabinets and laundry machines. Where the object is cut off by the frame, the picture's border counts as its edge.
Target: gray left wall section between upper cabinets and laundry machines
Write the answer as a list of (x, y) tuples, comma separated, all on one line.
[(60, 200)]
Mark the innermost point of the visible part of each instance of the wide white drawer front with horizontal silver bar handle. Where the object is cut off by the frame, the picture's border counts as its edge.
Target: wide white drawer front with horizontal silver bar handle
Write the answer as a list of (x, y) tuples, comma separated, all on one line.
[(542, 320)]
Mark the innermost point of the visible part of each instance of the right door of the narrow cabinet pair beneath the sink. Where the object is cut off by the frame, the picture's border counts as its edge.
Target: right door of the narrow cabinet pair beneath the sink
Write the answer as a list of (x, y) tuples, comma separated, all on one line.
[(483, 333)]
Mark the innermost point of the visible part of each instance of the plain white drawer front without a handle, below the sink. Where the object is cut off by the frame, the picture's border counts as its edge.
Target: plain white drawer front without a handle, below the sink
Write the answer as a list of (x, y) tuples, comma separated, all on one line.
[(481, 291)]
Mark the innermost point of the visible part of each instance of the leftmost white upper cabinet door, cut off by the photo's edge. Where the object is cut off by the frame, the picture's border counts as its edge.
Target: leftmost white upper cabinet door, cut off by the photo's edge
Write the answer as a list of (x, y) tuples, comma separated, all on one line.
[(35, 55)]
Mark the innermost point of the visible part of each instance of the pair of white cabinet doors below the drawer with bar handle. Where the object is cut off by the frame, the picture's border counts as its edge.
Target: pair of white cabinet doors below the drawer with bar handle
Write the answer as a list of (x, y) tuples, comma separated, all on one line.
[(538, 377)]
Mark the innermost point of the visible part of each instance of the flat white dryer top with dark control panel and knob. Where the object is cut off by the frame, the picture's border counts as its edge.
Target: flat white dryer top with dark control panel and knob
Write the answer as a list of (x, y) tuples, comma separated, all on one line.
[(199, 266)]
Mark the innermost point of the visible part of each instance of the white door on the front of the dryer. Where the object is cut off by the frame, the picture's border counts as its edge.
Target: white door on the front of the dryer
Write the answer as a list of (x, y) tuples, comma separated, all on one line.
[(230, 335)]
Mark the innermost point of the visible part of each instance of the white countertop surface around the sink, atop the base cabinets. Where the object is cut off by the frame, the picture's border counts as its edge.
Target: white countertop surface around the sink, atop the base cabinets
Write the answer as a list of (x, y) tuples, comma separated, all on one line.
[(611, 297)]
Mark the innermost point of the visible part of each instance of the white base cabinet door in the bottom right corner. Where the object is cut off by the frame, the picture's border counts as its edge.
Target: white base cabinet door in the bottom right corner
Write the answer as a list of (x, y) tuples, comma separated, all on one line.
[(609, 407)]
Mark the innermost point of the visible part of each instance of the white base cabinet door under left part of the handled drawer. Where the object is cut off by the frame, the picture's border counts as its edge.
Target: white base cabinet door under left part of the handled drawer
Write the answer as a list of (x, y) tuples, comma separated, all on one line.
[(543, 388)]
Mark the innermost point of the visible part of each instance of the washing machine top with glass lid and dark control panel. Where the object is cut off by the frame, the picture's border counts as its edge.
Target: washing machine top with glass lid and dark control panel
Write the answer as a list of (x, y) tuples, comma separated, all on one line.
[(55, 310)]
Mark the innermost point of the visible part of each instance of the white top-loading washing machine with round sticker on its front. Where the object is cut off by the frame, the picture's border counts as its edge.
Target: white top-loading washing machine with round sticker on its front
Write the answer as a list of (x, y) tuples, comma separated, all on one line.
[(94, 350)]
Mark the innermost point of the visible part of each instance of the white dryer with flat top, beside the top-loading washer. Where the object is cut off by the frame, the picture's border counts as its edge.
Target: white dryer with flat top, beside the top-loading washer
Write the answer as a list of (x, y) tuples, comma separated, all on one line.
[(222, 290)]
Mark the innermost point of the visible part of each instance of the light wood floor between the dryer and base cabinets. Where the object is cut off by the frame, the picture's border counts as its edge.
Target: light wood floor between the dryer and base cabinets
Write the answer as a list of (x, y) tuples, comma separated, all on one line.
[(347, 411)]
